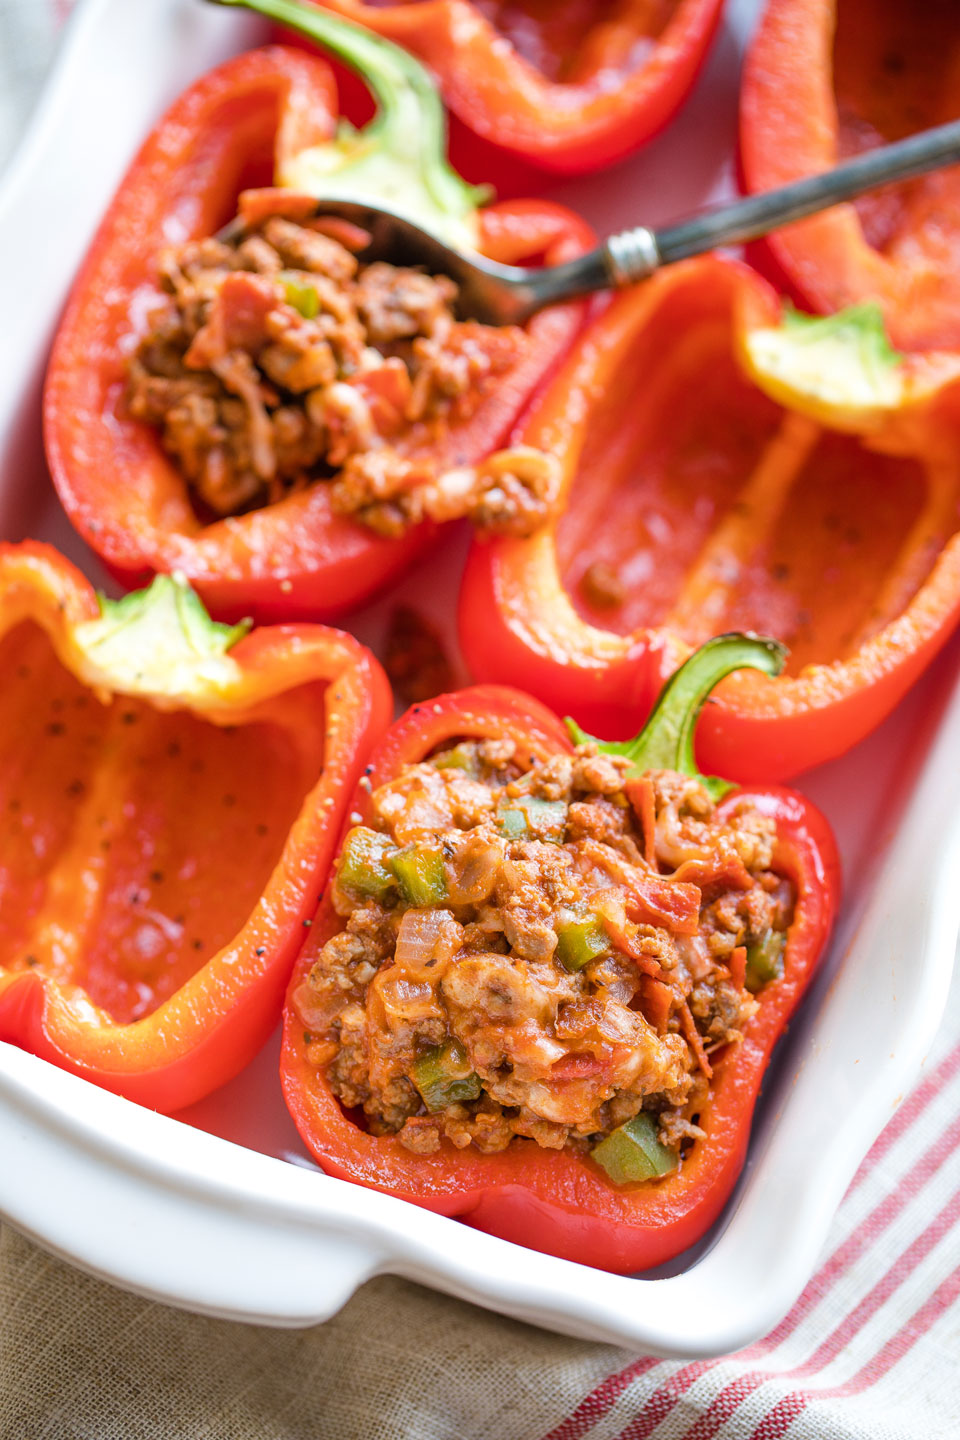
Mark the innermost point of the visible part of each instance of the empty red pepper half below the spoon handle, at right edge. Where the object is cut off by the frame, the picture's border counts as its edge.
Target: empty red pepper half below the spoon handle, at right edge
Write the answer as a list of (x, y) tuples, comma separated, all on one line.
[(725, 492)]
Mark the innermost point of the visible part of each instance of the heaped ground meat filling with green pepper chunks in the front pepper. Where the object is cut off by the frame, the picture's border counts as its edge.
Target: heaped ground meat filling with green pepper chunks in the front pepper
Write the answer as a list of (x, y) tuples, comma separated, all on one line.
[(513, 964)]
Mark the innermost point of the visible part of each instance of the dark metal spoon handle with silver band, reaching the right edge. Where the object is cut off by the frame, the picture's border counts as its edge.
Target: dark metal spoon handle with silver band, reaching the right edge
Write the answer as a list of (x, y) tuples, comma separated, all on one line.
[(637, 254)]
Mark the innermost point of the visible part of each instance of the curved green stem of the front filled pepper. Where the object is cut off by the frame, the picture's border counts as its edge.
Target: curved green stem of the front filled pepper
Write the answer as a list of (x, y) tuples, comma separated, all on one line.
[(667, 739)]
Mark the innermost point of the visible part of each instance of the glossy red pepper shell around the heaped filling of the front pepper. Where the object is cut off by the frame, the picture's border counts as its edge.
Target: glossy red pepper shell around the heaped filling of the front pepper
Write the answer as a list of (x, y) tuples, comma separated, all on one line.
[(555, 1200)]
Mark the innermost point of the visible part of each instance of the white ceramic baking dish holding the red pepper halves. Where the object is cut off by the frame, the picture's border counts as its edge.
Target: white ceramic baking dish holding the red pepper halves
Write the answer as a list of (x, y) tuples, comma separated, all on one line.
[(221, 1209)]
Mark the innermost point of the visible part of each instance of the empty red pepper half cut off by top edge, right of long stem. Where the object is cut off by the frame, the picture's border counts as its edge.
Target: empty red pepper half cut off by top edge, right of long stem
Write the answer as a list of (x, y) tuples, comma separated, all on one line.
[(575, 93)]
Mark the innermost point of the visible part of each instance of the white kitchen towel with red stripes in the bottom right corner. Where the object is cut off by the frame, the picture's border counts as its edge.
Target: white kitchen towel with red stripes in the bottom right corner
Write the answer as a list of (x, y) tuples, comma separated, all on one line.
[(871, 1347)]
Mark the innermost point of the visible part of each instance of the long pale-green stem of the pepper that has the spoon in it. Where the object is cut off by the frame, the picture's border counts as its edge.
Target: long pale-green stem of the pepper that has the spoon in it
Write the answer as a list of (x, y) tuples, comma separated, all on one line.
[(398, 161)]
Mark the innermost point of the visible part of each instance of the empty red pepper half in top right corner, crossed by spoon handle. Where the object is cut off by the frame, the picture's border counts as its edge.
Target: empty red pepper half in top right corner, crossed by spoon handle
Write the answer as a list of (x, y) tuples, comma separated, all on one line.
[(825, 80)]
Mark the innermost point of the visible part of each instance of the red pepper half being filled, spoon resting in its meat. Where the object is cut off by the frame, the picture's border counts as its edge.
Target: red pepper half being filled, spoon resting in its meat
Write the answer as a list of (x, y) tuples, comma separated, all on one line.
[(255, 407)]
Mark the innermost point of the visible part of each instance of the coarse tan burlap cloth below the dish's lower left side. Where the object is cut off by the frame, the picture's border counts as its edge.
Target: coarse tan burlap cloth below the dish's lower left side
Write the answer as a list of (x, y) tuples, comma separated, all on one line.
[(80, 1359)]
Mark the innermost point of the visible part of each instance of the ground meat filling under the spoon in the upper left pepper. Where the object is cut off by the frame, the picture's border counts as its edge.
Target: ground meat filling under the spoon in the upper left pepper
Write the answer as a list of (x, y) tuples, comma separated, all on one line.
[(279, 361)]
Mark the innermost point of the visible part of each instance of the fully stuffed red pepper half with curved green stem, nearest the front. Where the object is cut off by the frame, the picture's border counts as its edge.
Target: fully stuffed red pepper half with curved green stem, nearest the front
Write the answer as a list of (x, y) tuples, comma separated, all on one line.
[(546, 981)]
